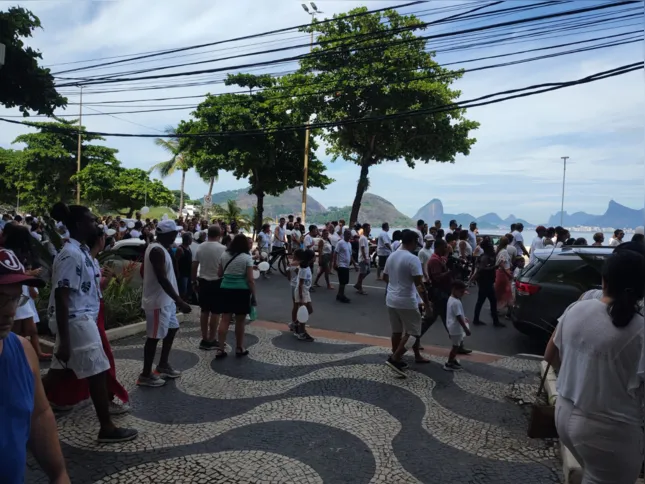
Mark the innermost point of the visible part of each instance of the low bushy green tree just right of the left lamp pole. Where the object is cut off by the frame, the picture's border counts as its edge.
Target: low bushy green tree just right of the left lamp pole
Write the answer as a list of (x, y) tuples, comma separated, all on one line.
[(125, 190)]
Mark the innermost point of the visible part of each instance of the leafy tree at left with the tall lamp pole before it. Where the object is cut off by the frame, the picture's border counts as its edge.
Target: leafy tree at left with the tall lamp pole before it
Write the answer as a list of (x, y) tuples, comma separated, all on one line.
[(49, 161)]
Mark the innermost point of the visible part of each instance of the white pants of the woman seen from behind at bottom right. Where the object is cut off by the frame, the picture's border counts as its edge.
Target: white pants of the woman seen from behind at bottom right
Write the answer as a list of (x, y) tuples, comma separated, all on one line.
[(610, 452)]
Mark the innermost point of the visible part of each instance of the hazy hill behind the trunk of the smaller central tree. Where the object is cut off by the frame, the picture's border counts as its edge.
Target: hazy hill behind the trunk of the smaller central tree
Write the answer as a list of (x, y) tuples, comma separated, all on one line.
[(289, 202)]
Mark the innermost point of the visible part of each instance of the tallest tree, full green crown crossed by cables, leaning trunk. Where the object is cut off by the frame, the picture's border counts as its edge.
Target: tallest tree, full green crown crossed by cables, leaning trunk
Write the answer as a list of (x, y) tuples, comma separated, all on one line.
[(385, 70)]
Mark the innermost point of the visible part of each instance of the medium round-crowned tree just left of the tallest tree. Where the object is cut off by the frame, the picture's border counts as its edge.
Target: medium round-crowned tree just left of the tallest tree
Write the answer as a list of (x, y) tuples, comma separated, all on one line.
[(272, 162)]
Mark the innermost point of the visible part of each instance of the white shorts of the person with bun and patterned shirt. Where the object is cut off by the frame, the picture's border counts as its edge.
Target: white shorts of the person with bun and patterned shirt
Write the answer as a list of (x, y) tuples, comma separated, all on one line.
[(87, 357)]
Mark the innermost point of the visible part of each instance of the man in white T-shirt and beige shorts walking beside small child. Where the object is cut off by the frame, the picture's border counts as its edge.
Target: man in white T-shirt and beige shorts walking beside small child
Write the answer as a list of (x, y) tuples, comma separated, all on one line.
[(404, 278)]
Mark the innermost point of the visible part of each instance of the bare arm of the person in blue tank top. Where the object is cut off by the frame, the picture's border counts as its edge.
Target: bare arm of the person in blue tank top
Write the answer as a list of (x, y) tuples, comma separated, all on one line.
[(43, 435)]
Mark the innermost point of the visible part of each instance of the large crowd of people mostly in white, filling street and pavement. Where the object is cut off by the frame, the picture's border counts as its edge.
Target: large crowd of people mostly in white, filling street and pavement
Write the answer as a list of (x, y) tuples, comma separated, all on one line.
[(426, 272)]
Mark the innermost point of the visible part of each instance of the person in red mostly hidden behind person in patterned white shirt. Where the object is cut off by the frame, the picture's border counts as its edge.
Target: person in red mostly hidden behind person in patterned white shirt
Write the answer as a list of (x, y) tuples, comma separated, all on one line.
[(72, 390)]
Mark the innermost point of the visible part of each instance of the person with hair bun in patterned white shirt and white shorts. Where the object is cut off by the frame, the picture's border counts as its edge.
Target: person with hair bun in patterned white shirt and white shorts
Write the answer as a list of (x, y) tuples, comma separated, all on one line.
[(73, 311)]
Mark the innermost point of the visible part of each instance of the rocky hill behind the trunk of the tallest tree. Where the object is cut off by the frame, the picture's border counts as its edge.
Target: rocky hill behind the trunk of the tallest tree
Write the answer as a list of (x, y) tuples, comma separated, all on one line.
[(374, 210)]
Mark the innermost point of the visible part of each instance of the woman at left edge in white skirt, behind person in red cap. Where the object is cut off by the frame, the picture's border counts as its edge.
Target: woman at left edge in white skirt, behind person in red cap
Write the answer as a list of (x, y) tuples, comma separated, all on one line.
[(18, 239)]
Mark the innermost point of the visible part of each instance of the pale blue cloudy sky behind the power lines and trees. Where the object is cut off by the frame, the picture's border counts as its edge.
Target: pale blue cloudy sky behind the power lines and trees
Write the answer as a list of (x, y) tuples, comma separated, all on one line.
[(515, 166)]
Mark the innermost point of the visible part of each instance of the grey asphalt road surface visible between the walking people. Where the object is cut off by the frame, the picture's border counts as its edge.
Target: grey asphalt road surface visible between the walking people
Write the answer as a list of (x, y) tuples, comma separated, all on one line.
[(367, 314)]
